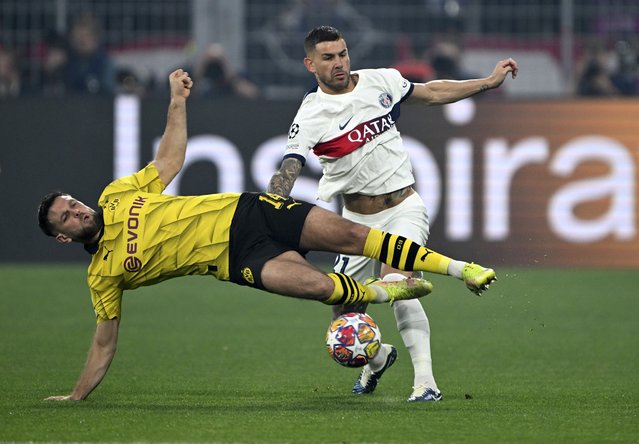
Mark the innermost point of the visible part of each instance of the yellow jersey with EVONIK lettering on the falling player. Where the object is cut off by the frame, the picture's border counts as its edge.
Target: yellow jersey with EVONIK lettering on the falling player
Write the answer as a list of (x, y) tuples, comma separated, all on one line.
[(150, 237)]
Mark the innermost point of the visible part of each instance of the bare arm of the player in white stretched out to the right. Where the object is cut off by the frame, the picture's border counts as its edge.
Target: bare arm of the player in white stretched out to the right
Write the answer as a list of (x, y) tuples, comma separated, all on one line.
[(439, 92)]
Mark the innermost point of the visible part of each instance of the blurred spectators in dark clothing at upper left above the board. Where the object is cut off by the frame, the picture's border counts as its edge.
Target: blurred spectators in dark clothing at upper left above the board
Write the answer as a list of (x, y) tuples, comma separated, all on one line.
[(79, 63)]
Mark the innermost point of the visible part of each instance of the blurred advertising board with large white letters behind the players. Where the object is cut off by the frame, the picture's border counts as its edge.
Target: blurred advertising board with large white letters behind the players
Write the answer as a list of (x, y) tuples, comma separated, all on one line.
[(506, 183)]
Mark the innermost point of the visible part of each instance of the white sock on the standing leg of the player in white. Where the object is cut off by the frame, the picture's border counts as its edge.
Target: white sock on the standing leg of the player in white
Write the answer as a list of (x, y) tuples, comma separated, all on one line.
[(414, 328)]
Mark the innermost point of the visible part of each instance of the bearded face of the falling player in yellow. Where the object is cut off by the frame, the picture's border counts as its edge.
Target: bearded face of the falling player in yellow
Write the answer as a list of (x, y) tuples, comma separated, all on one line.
[(73, 220)]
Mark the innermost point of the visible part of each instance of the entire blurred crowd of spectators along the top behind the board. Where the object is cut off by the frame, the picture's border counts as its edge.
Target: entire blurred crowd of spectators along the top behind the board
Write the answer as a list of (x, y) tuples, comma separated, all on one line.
[(79, 63)]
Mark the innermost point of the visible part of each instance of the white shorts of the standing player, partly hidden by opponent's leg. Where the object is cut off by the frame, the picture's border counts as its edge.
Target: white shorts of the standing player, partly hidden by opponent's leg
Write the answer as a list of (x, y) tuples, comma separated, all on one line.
[(408, 219)]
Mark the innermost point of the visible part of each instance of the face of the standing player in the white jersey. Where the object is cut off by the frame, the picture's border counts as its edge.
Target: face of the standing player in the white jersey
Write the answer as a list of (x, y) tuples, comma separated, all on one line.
[(332, 66)]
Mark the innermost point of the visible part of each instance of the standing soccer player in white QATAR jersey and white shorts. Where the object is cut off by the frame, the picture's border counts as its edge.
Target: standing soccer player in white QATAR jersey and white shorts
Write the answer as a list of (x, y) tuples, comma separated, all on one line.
[(349, 121)]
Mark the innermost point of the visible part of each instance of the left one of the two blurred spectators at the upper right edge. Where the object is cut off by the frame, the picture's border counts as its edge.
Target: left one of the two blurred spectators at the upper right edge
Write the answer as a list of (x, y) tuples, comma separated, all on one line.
[(593, 76)]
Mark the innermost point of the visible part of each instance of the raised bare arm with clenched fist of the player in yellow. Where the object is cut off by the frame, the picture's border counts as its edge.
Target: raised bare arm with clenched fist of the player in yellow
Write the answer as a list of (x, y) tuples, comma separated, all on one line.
[(170, 157)]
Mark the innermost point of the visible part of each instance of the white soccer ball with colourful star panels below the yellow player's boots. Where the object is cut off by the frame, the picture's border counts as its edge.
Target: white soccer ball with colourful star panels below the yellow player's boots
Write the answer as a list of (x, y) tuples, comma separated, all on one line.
[(353, 339)]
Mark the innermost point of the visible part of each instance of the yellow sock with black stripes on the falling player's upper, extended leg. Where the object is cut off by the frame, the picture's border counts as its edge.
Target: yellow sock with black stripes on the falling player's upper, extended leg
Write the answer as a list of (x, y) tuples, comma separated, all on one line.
[(403, 254)]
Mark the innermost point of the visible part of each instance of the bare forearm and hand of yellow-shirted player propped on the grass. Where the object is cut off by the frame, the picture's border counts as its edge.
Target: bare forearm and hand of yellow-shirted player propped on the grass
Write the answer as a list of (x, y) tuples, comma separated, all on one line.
[(100, 356)]
